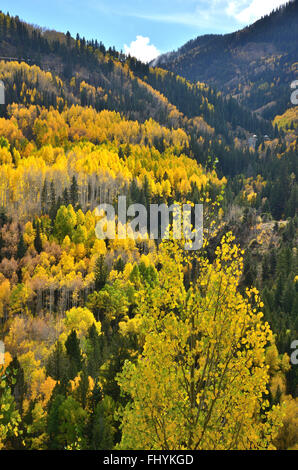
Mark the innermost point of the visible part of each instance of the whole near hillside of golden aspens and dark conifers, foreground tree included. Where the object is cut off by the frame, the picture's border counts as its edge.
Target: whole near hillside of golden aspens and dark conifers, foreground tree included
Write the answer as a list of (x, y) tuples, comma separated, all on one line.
[(103, 338)]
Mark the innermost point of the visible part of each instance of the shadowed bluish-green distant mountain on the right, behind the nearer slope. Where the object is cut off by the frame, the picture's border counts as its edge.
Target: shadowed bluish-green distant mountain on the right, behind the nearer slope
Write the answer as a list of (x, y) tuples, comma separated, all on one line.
[(255, 65)]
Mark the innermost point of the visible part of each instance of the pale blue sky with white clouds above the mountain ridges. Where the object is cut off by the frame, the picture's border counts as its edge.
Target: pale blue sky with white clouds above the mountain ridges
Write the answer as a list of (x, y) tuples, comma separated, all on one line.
[(142, 28)]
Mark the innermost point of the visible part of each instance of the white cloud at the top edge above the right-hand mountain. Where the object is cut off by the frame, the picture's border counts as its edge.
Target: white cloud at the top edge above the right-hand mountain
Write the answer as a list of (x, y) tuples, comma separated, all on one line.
[(247, 12)]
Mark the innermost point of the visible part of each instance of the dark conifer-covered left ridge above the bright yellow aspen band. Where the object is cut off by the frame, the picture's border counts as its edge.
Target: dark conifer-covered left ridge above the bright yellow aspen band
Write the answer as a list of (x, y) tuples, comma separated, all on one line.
[(49, 68)]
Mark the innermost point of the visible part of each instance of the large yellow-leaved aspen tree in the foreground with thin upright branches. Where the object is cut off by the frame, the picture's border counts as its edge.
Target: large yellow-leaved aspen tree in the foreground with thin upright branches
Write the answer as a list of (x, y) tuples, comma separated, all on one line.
[(202, 379)]
